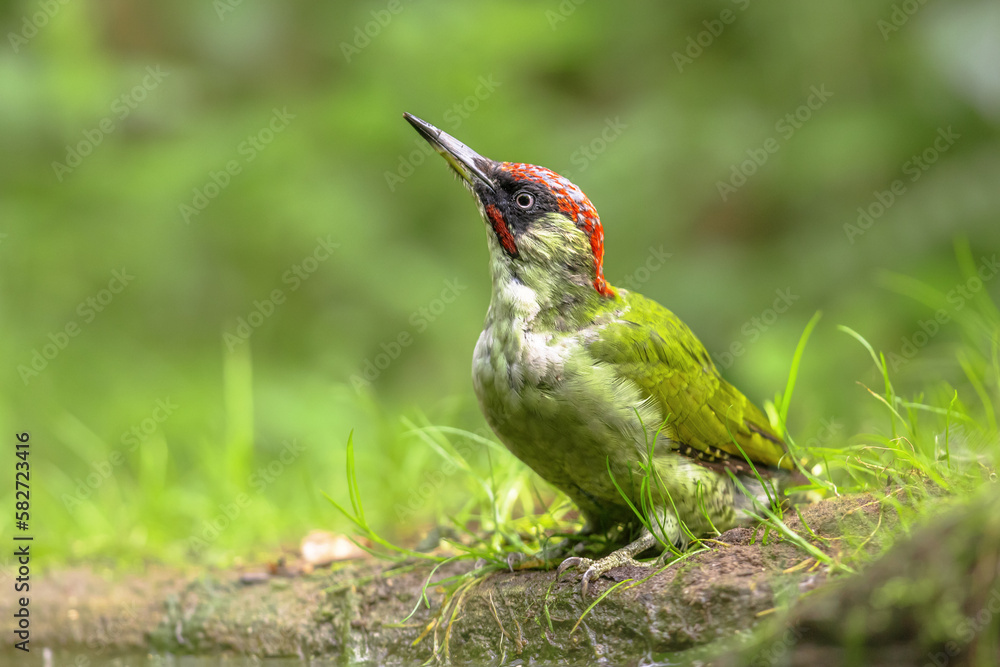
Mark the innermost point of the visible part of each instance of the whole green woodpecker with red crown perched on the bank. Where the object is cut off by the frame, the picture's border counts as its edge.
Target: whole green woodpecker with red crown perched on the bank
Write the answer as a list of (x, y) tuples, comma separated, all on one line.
[(597, 388)]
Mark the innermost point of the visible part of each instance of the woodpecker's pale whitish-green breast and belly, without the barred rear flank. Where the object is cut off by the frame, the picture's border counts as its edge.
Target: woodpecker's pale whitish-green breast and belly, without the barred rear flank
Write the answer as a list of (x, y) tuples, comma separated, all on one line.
[(561, 413)]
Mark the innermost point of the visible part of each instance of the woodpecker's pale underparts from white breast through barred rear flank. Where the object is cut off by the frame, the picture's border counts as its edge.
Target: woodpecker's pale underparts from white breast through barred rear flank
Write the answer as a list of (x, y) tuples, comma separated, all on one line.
[(570, 419)]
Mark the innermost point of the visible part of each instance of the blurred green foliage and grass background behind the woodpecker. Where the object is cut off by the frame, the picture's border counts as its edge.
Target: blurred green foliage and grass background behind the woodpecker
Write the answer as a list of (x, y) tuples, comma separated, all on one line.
[(276, 226)]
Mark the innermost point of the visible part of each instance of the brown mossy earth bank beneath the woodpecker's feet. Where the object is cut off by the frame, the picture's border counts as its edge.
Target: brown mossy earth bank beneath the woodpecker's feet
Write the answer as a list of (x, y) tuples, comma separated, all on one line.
[(354, 611)]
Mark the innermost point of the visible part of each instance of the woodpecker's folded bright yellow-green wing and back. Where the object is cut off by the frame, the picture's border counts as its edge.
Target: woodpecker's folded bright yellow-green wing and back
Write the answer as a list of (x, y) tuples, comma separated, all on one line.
[(651, 346)]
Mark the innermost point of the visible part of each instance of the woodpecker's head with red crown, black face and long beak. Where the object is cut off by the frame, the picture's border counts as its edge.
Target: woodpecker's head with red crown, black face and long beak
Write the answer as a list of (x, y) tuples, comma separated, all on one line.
[(544, 232)]
